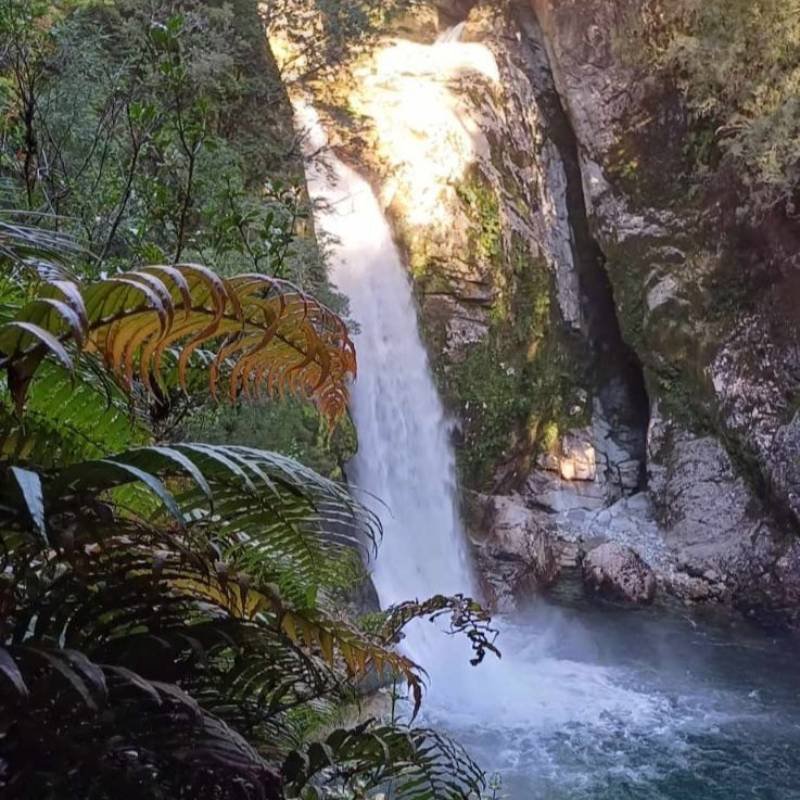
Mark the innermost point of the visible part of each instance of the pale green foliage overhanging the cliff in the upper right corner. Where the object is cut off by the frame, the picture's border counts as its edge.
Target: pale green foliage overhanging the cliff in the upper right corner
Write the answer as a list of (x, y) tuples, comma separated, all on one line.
[(738, 64)]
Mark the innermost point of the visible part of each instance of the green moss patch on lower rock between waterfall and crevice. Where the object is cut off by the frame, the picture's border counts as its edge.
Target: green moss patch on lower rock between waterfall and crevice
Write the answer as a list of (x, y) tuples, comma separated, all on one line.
[(517, 390)]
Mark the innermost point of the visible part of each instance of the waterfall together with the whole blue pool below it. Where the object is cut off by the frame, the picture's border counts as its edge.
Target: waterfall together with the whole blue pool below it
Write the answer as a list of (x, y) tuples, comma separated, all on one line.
[(585, 703)]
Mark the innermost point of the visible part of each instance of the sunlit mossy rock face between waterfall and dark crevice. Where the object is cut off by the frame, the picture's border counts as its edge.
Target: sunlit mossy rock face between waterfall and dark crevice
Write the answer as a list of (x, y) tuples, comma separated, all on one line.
[(465, 210)]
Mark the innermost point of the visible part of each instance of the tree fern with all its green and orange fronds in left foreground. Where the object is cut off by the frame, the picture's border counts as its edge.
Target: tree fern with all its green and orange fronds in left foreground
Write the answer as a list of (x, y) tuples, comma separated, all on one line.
[(167, 608)]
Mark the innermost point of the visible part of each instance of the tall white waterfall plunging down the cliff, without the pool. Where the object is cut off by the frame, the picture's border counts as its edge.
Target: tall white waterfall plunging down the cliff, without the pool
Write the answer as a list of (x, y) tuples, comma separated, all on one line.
[(404, 458)]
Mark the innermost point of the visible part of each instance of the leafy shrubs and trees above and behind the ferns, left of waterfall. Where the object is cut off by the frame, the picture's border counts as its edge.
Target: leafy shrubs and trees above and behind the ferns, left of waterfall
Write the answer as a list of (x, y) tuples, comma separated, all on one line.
[(157, 132)]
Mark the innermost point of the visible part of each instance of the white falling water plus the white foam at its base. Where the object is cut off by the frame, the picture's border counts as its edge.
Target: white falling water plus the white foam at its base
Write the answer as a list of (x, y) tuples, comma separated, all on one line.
[(405, 459)]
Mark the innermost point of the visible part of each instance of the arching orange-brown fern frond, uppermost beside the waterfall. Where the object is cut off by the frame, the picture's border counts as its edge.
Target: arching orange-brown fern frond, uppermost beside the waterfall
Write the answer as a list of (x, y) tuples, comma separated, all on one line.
[(266, 333)]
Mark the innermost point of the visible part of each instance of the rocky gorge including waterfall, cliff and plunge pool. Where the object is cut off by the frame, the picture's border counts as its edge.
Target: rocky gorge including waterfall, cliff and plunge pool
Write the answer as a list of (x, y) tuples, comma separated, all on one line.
[(588, 435)]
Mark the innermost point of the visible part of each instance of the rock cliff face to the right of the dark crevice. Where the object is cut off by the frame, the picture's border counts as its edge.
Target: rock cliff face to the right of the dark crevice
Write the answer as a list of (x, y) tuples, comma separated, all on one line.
[(710, 302)]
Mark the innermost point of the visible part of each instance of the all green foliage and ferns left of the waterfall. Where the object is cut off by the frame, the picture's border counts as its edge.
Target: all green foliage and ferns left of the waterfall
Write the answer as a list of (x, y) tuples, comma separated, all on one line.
[(174, 618)]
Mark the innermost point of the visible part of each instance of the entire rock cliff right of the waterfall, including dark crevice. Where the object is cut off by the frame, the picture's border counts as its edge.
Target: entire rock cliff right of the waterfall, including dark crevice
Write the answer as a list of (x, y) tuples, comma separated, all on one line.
[(621, 357)]
